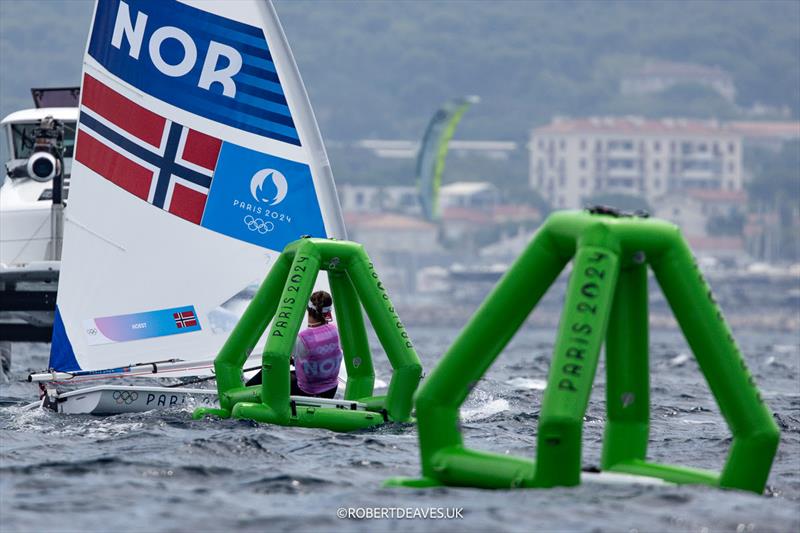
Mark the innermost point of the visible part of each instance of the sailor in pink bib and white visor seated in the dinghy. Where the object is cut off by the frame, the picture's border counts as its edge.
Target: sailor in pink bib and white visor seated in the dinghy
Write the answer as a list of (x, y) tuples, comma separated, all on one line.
[(317, 353)]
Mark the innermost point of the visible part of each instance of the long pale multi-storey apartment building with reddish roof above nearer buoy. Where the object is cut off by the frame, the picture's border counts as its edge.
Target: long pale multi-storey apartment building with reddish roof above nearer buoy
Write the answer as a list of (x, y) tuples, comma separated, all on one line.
[(574, 159)]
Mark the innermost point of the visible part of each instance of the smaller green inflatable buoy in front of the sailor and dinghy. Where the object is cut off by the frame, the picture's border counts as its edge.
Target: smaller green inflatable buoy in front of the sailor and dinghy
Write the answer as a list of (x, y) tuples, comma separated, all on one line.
[(283, 296)]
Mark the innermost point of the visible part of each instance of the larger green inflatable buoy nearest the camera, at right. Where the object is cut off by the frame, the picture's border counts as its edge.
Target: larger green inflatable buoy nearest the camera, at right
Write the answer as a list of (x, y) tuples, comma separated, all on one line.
[(606, 302)]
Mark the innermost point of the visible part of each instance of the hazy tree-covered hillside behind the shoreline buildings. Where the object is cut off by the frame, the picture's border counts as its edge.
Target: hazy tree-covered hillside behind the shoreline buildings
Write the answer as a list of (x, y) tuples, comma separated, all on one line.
[(381, 68)]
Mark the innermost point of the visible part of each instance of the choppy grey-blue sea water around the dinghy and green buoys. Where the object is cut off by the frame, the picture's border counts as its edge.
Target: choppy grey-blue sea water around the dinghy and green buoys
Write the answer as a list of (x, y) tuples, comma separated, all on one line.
[(163, 471)]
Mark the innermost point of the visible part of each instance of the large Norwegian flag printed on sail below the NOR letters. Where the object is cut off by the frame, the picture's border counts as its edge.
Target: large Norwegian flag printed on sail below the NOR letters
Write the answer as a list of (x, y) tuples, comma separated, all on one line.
[(158, 160)]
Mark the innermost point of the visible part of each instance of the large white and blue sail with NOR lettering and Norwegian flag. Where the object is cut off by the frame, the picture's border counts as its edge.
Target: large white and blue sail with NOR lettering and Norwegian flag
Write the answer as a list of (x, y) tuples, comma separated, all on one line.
[(197, 159)]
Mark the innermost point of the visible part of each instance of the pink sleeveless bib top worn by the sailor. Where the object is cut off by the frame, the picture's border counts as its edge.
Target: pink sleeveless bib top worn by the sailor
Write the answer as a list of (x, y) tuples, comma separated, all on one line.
[(318, 369)]
